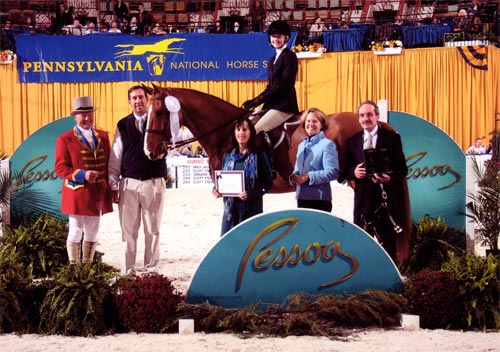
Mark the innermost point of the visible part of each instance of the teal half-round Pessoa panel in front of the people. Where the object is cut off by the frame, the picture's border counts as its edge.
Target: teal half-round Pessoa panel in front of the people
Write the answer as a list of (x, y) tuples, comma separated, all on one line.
[(274, 255)]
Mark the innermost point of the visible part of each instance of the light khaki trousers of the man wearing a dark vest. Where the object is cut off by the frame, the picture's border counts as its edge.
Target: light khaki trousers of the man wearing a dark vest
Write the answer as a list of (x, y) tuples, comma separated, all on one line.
[(141, 200)]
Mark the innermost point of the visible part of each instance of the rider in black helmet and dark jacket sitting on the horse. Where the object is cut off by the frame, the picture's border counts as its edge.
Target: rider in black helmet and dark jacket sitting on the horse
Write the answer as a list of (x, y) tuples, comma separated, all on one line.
[(279, 97)]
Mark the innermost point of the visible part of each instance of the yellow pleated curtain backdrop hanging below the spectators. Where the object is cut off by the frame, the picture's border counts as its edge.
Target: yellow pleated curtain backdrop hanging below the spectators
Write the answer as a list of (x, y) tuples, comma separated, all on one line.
[(435, 84)]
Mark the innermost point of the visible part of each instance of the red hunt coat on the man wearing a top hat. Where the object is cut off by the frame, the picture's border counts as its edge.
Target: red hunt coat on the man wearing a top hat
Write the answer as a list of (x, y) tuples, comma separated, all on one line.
[(74, 157)]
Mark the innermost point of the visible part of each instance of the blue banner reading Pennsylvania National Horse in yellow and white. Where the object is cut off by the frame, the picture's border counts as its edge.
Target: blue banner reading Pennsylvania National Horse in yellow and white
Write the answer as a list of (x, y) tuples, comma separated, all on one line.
[(117, 57)]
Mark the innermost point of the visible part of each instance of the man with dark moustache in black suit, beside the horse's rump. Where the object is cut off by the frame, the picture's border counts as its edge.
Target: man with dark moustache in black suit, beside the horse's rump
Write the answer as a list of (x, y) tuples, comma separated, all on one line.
[(369, 212)]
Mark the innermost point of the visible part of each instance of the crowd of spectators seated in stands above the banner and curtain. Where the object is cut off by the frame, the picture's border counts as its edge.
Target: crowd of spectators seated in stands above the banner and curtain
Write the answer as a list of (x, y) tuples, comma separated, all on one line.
[(473, 21)]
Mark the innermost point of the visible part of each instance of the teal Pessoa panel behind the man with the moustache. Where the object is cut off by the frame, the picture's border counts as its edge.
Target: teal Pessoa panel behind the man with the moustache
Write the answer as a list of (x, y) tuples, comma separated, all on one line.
[(436, 177)]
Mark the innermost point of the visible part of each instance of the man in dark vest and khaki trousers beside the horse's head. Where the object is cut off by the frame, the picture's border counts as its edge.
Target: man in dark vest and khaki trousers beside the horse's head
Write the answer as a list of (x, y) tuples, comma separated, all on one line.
[(137, 185)]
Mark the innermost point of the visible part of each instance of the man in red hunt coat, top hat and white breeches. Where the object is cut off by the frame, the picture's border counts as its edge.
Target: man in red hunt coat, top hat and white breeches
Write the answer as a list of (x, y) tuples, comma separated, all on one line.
[(81, 160)]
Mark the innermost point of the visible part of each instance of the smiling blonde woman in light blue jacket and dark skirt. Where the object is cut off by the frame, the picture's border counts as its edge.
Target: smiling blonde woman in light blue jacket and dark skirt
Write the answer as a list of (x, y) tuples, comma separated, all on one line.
[(317, 163)]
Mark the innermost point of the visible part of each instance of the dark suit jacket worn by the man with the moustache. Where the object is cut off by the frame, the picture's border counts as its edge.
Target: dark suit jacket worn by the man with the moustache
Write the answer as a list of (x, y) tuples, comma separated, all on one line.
[(367, 195)]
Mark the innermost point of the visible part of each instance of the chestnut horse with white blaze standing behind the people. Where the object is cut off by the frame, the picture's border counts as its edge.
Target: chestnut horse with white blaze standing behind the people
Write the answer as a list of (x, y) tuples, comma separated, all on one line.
[(211, 121)]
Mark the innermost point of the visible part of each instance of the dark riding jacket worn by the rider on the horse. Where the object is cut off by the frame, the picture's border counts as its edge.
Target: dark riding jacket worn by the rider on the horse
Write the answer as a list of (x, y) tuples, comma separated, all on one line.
[(280, 91)]
